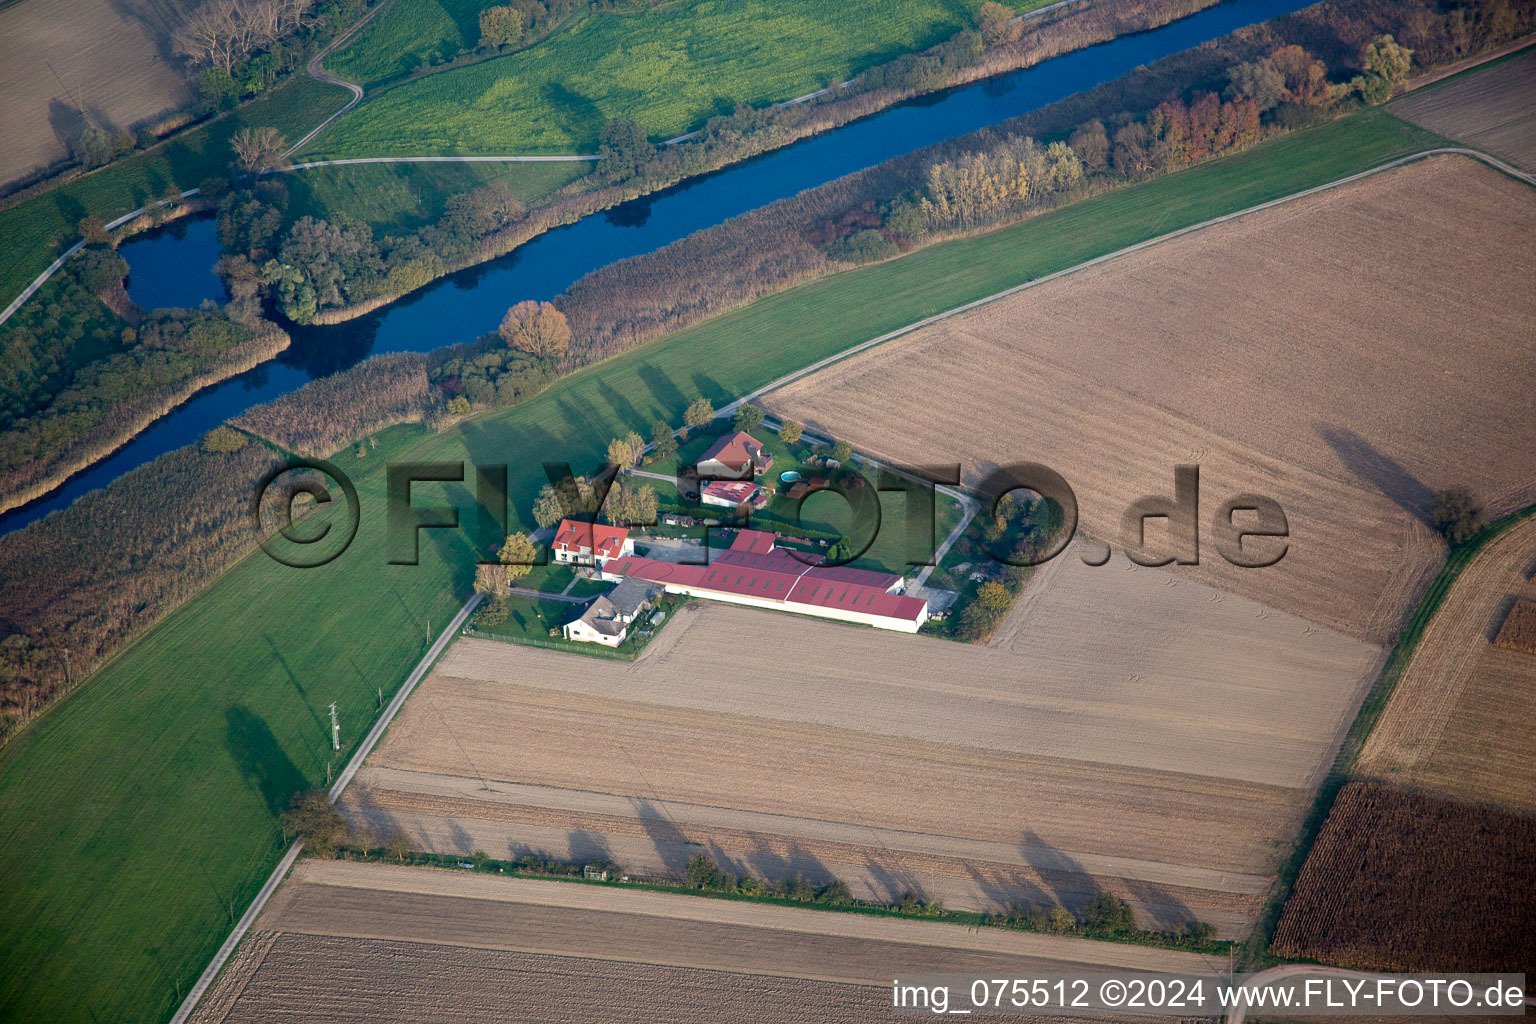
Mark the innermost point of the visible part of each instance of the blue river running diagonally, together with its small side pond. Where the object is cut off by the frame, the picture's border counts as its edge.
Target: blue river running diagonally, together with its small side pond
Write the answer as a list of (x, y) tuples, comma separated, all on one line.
[(167, 269)]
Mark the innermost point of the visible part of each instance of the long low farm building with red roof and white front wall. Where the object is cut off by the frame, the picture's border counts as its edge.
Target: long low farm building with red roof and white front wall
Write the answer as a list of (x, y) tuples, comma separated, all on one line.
[(760, 575)]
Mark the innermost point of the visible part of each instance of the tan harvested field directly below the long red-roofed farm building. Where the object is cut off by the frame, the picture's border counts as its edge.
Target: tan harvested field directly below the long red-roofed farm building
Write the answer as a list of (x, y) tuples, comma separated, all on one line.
[(1168, 761)]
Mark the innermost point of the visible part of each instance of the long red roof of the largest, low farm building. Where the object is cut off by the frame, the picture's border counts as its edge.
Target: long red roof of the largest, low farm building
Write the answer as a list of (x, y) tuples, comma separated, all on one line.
[(749, 570)]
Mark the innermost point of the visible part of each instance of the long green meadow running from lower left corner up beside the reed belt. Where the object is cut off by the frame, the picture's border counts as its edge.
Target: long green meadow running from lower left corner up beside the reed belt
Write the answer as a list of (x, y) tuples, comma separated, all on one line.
[(141, 814)]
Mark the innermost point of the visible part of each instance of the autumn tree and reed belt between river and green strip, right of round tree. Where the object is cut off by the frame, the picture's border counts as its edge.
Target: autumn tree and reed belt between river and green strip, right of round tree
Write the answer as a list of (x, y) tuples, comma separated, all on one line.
[(1193, 107)]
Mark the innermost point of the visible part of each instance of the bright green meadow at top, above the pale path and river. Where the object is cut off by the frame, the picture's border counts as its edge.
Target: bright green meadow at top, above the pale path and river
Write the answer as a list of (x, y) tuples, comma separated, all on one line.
[(669, 67)]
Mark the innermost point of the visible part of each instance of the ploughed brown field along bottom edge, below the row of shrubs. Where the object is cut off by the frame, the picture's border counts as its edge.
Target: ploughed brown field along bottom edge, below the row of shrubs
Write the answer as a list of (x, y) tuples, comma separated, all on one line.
[(362, 942)]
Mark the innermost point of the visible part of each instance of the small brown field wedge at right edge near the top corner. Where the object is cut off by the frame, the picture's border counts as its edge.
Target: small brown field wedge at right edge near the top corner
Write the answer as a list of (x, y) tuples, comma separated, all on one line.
[(1494, 110)]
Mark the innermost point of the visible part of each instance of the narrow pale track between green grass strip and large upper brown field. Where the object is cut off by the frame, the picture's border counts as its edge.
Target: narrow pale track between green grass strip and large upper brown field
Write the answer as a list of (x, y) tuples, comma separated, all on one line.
[(1119, 254)]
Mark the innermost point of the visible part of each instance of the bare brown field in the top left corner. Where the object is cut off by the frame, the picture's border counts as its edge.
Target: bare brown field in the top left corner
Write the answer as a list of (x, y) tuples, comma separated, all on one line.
[(59, 56)]
